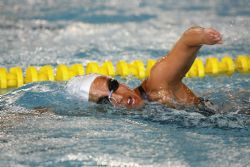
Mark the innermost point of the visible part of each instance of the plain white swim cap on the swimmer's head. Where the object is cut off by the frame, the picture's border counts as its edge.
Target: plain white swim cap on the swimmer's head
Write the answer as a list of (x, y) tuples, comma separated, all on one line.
[(80, 86)]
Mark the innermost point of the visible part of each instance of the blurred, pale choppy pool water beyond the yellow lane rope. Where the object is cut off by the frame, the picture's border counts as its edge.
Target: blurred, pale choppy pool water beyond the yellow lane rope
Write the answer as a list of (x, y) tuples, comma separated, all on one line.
[(49, 33)]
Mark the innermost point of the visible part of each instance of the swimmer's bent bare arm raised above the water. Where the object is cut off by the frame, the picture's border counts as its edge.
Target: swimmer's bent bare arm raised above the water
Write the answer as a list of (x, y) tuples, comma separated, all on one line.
[(170, 69)]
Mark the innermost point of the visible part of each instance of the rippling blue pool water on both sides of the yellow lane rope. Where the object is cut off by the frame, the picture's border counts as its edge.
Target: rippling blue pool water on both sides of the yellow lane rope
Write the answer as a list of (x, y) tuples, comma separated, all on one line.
[(41, 125)]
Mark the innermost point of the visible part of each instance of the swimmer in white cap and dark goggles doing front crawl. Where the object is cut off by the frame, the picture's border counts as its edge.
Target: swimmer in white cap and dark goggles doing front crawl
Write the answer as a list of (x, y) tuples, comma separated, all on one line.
[(164, 85)]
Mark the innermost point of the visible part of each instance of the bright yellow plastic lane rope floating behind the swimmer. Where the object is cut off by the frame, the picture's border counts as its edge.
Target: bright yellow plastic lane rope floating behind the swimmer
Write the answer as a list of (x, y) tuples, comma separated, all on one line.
[(14, 77)]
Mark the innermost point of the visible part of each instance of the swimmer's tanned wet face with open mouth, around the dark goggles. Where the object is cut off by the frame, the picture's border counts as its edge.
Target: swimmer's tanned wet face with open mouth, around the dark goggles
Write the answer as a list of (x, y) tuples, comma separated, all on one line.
[(123, 96)]
